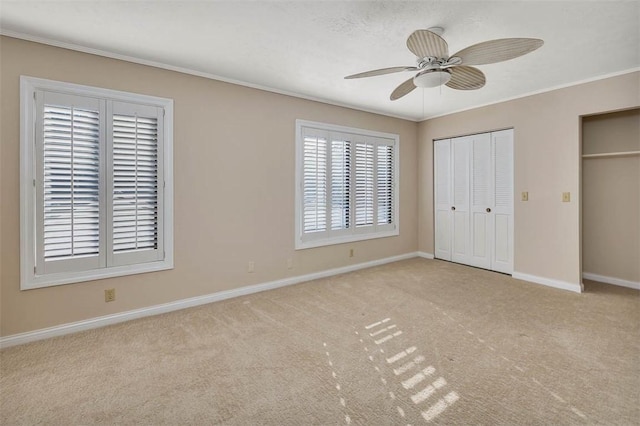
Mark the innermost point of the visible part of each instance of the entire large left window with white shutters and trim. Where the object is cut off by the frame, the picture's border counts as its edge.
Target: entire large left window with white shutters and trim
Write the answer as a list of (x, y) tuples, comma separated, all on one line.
[(96, 183)]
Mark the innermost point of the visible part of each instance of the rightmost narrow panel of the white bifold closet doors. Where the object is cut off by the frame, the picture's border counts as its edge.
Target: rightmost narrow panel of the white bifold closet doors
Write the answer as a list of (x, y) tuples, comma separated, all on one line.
[(502, 248)]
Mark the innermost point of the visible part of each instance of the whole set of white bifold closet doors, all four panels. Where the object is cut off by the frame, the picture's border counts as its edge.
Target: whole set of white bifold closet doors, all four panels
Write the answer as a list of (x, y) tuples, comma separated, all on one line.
[(474, 200)]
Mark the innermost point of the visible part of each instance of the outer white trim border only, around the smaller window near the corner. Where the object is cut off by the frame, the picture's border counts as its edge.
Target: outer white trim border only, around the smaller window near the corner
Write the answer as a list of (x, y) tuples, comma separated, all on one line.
[(358, 234)]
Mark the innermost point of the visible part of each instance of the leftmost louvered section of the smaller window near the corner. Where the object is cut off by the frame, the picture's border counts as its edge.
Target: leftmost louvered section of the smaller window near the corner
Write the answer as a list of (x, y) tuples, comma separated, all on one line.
[(314, 184)]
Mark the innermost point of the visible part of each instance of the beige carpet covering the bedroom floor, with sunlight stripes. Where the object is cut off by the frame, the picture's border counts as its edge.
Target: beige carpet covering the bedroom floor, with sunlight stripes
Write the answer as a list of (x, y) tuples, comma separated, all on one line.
[(413, 342)]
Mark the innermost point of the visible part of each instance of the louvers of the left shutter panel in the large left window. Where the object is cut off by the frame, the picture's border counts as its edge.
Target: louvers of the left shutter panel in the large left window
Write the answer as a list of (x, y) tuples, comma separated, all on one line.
[(71, 147)]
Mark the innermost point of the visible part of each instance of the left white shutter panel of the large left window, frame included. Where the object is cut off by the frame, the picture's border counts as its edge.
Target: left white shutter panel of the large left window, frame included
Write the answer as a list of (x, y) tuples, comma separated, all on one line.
[(68, 208)]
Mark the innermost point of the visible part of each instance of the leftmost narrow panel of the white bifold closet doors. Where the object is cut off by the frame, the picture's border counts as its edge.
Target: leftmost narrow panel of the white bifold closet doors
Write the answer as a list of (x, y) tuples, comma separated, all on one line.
[(443, 199)]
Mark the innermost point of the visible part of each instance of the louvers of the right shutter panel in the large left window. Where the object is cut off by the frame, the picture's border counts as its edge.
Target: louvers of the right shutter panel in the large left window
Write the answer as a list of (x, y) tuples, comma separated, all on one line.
[(135, 183)]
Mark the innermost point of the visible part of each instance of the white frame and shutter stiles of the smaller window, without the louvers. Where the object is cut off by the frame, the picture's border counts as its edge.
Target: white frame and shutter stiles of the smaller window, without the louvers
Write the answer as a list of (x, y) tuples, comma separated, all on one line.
[(353, 233)]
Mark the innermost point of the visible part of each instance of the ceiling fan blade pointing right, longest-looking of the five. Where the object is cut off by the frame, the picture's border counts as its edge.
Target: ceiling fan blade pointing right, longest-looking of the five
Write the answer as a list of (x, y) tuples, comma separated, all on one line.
[(492, 51)]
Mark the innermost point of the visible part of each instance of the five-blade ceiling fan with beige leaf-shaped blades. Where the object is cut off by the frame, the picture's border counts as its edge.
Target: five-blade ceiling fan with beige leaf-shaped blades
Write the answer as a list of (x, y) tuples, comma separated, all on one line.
[(435, 67)]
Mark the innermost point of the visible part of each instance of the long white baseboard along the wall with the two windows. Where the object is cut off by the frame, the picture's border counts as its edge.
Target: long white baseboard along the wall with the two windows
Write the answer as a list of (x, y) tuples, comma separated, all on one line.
[(74, 327)]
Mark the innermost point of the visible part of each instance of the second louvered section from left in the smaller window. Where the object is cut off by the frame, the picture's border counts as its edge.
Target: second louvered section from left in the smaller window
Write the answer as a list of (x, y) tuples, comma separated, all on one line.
[(340, 184)]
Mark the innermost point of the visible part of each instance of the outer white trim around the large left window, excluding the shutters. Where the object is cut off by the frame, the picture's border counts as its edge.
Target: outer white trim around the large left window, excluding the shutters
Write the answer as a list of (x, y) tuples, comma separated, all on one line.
[(28, 278)]
